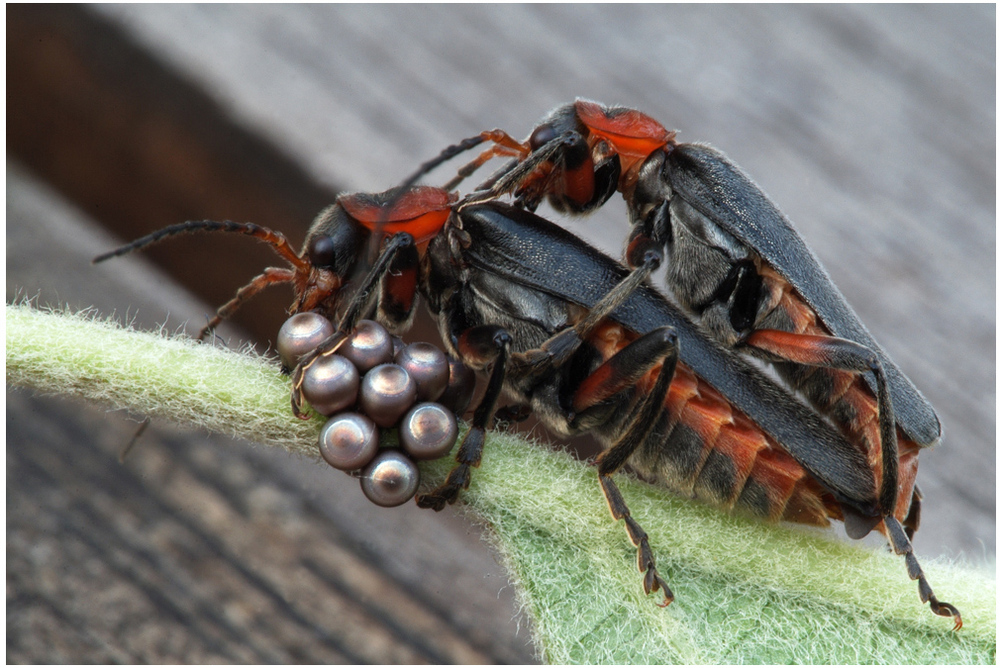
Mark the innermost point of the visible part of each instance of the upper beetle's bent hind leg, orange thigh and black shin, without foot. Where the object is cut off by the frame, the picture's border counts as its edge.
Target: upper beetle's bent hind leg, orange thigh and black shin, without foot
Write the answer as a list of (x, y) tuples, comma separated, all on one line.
[(834, 353)]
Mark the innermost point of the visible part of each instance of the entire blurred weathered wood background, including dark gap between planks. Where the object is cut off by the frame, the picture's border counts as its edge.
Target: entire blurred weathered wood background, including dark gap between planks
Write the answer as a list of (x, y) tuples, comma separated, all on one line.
[(873, 128)]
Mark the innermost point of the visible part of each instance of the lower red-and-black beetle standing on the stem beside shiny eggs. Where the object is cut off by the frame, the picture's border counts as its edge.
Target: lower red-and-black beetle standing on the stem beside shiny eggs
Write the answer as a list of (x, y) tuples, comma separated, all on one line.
[(588, 345)]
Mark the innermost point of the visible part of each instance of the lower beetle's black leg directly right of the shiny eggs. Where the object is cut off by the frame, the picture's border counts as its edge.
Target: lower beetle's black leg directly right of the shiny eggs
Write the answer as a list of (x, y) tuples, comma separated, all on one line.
[(481, 343)]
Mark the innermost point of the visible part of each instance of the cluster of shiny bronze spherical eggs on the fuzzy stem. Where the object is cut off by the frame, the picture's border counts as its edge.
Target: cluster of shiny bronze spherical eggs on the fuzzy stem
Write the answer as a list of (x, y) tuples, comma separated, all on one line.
[(375, 381)]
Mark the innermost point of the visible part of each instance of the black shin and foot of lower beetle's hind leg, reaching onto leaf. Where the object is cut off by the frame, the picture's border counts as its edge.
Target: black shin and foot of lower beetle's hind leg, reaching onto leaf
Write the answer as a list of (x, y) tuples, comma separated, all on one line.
[(615, 457)]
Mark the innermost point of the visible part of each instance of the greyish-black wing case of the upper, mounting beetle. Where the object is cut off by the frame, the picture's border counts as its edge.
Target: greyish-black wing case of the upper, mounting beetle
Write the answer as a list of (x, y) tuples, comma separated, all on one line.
[(741, 208)]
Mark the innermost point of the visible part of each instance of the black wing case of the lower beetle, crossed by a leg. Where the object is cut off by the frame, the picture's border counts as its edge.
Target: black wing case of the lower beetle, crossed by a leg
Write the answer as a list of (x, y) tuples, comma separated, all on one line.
[(521, 246)]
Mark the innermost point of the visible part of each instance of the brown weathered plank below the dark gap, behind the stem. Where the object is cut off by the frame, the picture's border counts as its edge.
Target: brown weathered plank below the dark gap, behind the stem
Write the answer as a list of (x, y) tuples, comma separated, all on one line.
[(198, 549)]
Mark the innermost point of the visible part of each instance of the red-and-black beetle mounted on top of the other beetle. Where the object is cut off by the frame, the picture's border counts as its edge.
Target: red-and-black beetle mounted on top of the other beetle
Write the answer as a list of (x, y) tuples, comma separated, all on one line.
[(735, 262)]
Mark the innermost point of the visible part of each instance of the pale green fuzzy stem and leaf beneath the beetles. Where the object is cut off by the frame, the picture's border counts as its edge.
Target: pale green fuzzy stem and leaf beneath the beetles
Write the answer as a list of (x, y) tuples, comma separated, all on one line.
[(745, 592)]
